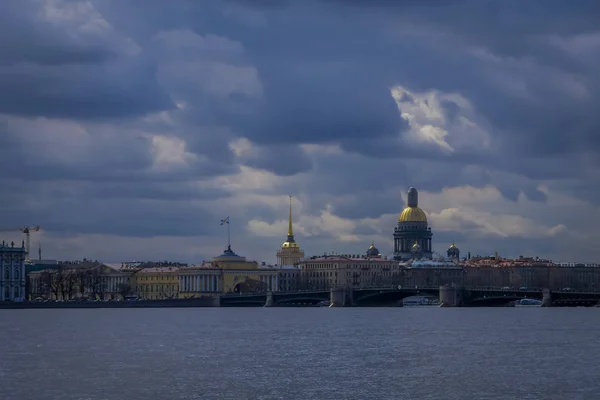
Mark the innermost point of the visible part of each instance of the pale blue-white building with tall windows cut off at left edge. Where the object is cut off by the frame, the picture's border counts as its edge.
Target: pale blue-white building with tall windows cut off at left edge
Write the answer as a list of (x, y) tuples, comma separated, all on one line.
[(12, 272)]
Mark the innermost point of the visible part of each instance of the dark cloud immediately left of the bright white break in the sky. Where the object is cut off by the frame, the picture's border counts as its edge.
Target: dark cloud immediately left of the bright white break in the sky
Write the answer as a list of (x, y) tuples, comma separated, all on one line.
[(344, 106)]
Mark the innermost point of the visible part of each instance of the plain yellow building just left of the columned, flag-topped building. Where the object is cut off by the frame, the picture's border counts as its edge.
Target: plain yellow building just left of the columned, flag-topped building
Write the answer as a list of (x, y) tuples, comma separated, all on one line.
[(156, 283)]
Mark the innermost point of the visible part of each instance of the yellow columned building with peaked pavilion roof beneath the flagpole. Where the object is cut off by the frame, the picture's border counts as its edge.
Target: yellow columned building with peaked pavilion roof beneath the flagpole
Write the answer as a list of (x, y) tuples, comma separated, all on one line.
[(227, 273)]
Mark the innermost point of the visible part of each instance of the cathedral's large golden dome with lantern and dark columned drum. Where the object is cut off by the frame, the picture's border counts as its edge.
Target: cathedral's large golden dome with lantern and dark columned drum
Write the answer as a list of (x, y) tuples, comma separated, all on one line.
[(412, 236)]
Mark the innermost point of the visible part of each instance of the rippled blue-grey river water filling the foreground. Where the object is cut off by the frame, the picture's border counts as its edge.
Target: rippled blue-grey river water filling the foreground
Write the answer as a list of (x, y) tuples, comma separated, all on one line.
[(300, 353)]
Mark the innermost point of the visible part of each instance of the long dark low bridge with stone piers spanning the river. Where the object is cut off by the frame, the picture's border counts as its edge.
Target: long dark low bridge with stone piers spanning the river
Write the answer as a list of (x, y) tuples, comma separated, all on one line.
[(391, 296)]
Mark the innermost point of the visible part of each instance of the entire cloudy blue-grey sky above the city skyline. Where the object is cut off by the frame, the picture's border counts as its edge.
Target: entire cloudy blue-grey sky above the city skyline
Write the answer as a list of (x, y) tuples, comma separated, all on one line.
[(130, 128)]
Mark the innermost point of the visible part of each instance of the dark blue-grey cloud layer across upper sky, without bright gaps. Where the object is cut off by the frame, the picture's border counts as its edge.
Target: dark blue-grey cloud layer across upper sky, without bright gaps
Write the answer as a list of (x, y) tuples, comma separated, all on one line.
[(107, 75)]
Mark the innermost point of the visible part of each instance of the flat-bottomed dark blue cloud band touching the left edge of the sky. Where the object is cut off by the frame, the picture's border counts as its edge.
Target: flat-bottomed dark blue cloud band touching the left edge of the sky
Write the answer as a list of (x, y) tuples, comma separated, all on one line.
[(75, 91)]
